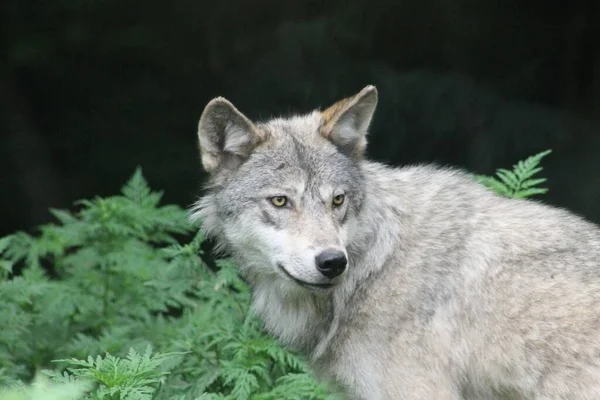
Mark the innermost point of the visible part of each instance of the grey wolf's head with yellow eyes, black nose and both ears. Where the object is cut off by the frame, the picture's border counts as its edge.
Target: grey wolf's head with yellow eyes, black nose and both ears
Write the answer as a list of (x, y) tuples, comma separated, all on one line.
[(285, 193)]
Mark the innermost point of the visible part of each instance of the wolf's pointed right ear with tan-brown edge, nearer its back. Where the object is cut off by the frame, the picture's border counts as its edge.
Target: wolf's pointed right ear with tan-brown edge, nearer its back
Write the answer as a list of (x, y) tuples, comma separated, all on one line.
[(346, 122)]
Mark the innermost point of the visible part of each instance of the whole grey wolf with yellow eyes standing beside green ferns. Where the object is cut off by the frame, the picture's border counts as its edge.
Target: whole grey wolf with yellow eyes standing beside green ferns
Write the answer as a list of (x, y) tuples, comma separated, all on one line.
[(413, 282)]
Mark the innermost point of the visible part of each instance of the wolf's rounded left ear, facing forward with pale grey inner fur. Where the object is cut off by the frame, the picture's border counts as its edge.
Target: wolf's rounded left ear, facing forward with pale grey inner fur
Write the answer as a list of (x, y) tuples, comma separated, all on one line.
[(226, 137)]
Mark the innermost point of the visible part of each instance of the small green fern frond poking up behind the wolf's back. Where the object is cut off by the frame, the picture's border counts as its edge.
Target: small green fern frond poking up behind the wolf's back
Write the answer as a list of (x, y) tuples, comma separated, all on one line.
[(520, 182)]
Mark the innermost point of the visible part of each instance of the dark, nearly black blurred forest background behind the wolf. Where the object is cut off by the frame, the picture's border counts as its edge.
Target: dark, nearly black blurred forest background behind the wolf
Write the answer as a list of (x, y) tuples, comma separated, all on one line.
[(91, 89)]
